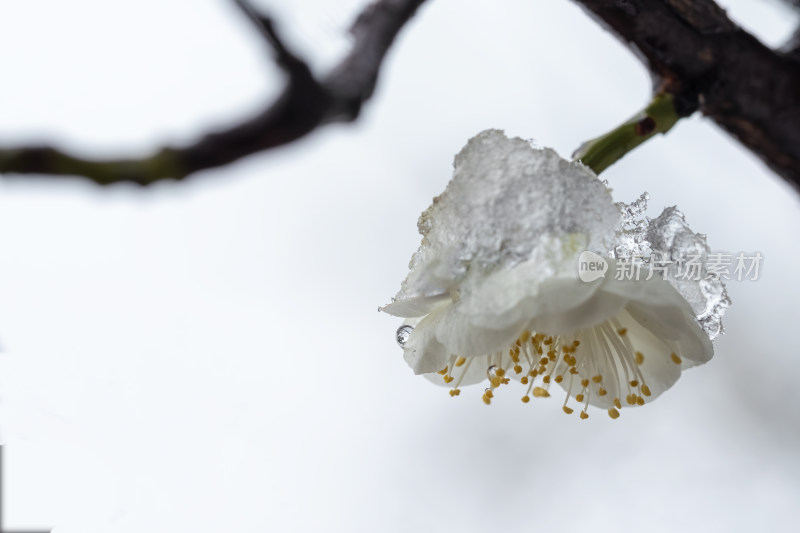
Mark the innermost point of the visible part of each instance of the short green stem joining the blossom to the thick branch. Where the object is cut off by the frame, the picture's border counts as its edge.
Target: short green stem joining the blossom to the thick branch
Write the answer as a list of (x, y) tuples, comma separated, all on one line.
[(602, 152)]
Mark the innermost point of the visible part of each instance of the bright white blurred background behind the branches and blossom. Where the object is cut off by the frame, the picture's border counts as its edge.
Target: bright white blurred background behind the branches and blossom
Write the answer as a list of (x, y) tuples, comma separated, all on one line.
[(207, 356)]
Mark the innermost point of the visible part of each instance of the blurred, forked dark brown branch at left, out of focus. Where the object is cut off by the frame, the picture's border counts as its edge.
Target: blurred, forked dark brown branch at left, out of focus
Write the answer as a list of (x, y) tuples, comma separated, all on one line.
[(304, 105)]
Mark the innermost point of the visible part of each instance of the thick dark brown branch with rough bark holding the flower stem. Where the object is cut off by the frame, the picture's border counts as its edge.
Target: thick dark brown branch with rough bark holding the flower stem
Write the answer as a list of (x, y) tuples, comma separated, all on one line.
[(696, 52)]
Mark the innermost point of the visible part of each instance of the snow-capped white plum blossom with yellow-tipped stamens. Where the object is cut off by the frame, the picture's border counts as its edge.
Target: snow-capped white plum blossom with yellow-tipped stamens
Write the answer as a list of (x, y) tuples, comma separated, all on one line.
[(493, 292)]
